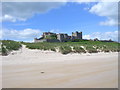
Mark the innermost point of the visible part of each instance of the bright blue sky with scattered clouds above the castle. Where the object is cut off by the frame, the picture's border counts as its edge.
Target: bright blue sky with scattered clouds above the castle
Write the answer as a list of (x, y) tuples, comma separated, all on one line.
[(24, 21)]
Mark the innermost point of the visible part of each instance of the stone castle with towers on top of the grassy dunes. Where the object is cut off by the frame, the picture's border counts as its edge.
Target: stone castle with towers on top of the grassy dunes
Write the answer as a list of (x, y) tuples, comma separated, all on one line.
[(61, 37)]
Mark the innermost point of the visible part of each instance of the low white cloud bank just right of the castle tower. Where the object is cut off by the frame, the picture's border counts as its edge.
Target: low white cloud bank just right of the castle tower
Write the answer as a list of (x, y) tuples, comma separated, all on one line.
[(103, 36)]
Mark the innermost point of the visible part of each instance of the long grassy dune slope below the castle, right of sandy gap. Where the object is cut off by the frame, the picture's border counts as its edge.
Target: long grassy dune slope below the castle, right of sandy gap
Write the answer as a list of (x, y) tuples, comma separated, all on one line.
[(67, 47)]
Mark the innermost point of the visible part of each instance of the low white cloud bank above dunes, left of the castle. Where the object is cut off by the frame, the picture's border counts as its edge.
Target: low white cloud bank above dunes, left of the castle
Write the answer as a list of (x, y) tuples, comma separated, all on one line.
[(26, 34)]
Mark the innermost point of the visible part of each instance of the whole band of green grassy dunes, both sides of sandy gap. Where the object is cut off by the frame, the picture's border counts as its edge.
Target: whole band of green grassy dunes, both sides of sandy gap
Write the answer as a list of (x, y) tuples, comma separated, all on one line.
[(63, 47)]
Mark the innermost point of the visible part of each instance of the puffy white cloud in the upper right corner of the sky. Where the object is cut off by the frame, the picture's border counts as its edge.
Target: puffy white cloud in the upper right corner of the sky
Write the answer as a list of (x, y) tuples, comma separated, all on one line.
[(108, 10)]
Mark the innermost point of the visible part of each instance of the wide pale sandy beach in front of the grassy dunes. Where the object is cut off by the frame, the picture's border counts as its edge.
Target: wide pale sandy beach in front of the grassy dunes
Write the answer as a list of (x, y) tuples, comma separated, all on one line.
[(46, 69)]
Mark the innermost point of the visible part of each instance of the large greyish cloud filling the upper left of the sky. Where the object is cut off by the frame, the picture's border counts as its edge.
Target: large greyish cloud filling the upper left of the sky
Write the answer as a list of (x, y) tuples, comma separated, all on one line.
[(13, 11)]
